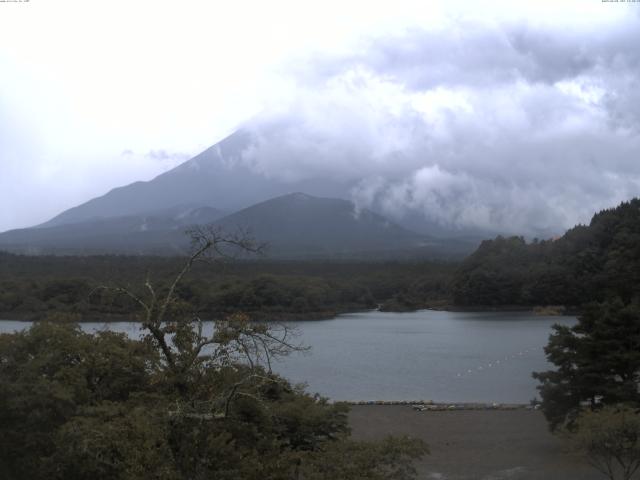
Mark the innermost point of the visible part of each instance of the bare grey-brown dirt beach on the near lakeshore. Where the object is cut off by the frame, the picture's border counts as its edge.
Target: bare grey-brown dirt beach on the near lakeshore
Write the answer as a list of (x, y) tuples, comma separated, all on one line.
[(477, 444)]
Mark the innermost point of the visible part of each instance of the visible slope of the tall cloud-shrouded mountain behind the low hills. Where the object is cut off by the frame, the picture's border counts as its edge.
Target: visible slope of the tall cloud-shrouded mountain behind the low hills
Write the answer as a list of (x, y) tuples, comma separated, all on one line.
[(230, 176)]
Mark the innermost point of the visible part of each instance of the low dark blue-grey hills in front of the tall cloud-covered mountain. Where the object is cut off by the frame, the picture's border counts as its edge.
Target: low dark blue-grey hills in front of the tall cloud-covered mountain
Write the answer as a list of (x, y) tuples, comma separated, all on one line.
[(294, 226)]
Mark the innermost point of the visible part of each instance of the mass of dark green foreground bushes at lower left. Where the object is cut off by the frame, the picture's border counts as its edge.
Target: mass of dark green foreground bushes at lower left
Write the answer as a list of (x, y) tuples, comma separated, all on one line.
[(77, 406)]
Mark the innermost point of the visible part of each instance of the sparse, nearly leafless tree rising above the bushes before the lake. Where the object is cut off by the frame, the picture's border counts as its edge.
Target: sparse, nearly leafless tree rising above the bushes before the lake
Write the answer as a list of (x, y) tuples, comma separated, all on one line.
[(187, 350)]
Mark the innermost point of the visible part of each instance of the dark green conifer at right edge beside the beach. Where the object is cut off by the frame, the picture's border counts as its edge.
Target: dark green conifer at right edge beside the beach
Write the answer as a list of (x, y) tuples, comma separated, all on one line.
[(597, 360)]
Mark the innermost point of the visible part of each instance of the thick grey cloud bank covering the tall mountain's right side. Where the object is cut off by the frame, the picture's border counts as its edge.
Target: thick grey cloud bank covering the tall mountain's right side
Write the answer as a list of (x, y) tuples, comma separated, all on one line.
[(516, 128)]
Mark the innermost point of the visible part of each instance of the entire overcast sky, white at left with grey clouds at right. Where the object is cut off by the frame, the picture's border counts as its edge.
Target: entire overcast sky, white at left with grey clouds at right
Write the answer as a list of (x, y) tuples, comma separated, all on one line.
[(484, 114)]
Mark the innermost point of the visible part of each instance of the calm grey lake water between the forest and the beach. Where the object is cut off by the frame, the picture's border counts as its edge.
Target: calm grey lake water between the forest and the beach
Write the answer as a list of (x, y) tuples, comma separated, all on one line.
[(428, 355)]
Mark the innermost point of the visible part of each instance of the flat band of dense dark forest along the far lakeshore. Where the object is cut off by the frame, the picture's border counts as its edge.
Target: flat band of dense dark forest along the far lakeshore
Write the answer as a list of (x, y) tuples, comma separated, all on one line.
[(47, 286)]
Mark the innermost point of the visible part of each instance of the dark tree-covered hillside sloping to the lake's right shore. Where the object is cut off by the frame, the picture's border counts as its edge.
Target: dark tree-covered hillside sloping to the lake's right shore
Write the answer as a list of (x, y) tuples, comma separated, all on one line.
[(587, 263)]
